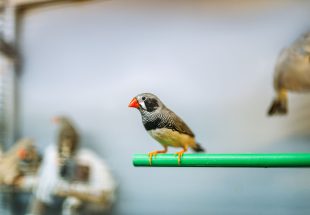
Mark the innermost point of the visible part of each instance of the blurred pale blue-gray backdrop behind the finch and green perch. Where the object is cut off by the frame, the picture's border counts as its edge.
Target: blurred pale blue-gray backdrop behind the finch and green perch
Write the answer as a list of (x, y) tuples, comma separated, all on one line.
[(211, 63)]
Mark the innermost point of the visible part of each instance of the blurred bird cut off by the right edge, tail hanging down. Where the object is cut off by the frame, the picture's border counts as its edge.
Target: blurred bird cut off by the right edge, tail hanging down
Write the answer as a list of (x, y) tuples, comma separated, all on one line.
[(292, 73)]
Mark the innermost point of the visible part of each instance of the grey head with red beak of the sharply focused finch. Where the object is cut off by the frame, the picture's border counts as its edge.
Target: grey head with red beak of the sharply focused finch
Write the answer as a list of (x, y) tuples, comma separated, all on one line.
[(146, 102)]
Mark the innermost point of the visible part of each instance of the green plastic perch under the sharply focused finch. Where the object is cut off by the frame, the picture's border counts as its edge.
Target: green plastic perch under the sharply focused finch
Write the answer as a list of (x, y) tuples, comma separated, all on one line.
[(225, 160)]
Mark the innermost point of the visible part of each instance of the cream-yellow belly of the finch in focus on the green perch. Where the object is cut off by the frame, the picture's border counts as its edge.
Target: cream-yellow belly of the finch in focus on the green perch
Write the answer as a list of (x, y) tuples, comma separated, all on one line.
[(168, 137)]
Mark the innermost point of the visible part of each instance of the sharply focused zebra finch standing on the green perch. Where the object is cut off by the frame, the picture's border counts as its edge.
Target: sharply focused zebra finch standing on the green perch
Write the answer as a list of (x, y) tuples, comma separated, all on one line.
[(164, 125)]
